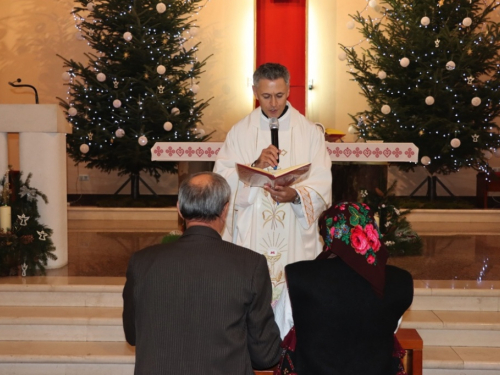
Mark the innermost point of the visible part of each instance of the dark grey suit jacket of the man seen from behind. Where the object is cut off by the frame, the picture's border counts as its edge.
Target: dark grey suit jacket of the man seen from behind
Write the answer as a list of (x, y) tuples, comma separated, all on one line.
[(200, 305)]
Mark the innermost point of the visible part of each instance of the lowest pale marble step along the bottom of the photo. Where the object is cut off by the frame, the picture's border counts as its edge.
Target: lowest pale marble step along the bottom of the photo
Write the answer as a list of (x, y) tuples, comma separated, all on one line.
[(108, 358)]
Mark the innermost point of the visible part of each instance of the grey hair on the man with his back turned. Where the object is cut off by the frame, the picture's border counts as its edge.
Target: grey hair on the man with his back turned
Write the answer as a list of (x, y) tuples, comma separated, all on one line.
[(206, 201)]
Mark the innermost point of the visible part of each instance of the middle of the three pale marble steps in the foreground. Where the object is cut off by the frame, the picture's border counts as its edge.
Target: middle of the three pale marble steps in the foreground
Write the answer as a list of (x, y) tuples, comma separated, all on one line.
[(53, 323)]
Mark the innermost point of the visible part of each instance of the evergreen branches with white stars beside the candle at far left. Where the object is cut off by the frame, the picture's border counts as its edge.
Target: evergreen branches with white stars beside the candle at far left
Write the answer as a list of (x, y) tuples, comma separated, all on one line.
[(29, 241)]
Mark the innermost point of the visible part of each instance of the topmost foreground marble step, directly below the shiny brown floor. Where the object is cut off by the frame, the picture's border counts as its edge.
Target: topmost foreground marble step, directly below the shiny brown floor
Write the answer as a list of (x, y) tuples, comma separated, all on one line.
[(454, 295)]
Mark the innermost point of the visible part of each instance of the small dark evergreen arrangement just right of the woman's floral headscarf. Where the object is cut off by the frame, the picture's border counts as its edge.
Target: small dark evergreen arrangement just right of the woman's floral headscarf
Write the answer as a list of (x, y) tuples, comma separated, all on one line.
[(396, 231)]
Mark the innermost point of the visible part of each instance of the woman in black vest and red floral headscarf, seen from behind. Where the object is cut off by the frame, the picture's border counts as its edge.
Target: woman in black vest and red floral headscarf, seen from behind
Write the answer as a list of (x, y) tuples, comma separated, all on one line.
[(347, 303)]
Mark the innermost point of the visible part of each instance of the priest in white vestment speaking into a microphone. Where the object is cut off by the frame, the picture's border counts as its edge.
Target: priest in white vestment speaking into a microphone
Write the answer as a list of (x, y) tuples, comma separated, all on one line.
[(279, 222)]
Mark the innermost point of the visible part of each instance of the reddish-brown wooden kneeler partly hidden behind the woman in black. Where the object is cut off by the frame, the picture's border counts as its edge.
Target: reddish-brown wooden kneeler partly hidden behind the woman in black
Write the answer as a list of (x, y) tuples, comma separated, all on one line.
[(410, 340)]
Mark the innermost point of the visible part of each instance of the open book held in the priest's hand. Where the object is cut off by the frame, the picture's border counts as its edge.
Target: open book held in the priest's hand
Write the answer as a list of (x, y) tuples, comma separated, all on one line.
[(254, 176)]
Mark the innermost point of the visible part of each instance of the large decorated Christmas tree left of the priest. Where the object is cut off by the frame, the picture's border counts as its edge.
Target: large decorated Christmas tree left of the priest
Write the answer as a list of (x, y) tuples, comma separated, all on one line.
[(138, 88)]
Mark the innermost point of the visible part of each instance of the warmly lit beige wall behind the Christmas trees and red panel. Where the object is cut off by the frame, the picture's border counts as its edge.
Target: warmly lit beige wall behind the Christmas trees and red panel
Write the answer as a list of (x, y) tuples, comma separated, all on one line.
[(32, 32)]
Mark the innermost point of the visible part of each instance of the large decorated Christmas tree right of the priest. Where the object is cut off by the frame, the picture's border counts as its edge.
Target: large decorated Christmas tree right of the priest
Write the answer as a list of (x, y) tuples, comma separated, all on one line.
[(430, 75)]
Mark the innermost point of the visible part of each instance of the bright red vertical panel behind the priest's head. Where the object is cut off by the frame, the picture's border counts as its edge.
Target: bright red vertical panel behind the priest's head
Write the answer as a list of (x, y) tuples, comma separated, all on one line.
[(281, 38)]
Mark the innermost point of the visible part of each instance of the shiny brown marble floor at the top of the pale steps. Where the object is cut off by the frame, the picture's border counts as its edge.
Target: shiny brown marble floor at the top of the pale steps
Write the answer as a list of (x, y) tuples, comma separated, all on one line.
[(462, 257)]
